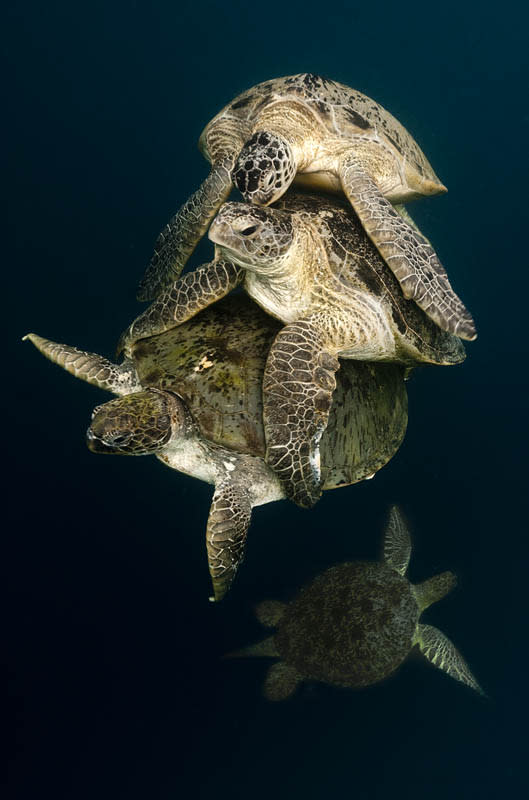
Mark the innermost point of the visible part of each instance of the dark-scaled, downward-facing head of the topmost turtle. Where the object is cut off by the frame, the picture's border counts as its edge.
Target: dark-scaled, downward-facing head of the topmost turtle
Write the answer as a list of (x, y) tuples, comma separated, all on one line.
[(265, 168)]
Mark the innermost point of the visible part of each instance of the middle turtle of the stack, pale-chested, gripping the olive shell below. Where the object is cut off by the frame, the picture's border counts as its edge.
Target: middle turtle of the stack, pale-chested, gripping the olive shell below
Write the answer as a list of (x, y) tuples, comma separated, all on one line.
[(308, 262)]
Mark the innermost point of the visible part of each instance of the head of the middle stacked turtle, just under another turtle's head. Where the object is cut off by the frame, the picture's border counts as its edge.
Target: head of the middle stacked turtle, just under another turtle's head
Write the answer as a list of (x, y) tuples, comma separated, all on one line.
[(251, 236)]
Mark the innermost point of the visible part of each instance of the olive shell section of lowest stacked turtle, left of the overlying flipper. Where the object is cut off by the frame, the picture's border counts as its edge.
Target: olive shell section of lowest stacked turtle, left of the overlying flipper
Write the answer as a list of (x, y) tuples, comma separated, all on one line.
[(215, 363)]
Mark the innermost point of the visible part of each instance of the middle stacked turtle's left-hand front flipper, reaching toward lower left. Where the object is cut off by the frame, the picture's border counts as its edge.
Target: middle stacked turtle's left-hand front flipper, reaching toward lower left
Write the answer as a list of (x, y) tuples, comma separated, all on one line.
[(185, 298)]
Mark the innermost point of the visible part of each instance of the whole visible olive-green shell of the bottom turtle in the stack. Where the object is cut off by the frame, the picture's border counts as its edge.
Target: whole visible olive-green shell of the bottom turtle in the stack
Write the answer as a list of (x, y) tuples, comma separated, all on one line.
[(215, 362)]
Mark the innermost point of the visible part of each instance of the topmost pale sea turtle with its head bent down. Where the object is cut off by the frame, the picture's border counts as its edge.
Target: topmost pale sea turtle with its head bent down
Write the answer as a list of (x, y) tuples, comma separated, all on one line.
[(328, 137)]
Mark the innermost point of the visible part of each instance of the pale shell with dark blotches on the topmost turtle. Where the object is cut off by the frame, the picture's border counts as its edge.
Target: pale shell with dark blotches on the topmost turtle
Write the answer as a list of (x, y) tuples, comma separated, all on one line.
[(344, 112)]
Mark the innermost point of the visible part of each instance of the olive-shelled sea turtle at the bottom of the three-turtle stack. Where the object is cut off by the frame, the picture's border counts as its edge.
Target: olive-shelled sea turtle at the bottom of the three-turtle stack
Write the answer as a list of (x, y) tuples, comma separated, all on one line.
[(192, 396)]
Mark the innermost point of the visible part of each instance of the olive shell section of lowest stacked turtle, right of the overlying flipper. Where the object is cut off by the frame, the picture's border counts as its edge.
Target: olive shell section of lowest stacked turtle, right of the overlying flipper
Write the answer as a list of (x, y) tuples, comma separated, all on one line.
[(367, 423)]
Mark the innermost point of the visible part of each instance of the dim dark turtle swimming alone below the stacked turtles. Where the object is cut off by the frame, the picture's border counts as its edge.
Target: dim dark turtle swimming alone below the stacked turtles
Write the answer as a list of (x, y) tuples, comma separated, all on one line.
[(355, 624)]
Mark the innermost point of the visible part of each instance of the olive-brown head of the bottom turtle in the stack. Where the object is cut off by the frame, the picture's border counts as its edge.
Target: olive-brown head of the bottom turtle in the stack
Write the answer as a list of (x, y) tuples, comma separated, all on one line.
[(137, 424)]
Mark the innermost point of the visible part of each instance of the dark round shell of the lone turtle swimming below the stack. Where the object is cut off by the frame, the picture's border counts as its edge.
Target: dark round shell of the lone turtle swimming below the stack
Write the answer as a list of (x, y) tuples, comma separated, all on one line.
[(352, 626)]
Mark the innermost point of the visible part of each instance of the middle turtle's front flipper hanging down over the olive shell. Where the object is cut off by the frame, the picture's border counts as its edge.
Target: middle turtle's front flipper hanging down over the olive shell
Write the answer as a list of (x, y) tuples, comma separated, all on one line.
[(298, 384)]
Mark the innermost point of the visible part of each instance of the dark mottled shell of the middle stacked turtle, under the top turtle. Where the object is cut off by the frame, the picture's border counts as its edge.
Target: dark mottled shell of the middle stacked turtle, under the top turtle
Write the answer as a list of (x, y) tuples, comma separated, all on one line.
[(356, 264)]
